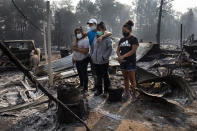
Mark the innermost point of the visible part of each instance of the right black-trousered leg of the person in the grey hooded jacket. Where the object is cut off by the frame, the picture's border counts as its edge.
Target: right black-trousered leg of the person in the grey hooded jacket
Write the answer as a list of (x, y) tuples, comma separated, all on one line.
[(107, 83)]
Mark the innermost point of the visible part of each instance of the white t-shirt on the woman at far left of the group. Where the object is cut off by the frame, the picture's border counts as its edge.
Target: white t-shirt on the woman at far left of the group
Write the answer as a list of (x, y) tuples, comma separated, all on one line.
[(83, 43)]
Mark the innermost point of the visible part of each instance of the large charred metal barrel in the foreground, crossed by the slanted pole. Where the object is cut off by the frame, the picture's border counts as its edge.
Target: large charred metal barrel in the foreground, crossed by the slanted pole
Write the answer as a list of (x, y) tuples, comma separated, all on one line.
[(72, 98)]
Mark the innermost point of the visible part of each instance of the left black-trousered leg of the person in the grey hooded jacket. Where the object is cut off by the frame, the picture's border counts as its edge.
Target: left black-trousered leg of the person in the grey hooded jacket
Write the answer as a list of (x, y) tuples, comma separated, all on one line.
[(99, 79)]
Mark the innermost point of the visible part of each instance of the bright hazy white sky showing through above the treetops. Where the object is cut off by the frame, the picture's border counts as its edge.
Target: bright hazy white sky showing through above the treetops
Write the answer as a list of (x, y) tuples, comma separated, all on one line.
[(178, 5)]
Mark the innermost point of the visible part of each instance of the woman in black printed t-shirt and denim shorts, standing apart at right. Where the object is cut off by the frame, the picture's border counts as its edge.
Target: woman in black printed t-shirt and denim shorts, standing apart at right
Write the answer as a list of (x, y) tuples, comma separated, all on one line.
[(126, 52)]
